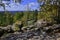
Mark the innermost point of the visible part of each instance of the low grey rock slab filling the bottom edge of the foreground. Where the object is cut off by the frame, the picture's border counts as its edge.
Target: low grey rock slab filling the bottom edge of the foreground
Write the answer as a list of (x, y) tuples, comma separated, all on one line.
[(31, 35)]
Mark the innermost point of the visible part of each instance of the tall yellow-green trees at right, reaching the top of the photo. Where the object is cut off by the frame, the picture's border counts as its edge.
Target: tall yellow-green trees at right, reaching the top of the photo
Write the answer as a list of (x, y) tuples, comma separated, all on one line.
[(49, 11)]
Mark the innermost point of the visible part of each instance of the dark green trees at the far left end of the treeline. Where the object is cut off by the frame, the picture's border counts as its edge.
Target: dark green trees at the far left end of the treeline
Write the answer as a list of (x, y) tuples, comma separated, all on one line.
[(6, 19)]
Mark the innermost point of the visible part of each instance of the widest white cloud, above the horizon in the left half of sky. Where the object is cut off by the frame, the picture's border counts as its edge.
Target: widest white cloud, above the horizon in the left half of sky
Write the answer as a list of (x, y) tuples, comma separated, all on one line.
[(16, 7)]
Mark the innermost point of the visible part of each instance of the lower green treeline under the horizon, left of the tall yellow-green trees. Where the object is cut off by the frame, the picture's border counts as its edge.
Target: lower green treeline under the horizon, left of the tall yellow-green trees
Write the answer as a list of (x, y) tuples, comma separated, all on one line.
[(8, 18)]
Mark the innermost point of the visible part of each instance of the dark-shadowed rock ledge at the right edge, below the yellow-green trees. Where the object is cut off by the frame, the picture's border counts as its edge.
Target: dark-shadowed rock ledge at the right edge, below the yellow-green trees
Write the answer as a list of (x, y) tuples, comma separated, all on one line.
[(53, 29)]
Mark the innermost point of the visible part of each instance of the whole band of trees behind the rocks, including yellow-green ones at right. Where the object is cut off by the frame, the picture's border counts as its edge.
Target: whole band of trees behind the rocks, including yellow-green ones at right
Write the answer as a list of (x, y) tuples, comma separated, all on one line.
[(29, 17)]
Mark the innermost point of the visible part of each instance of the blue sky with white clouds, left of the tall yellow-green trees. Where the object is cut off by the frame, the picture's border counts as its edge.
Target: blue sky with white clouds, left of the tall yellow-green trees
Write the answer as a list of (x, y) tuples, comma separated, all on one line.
[(23, 6)]
